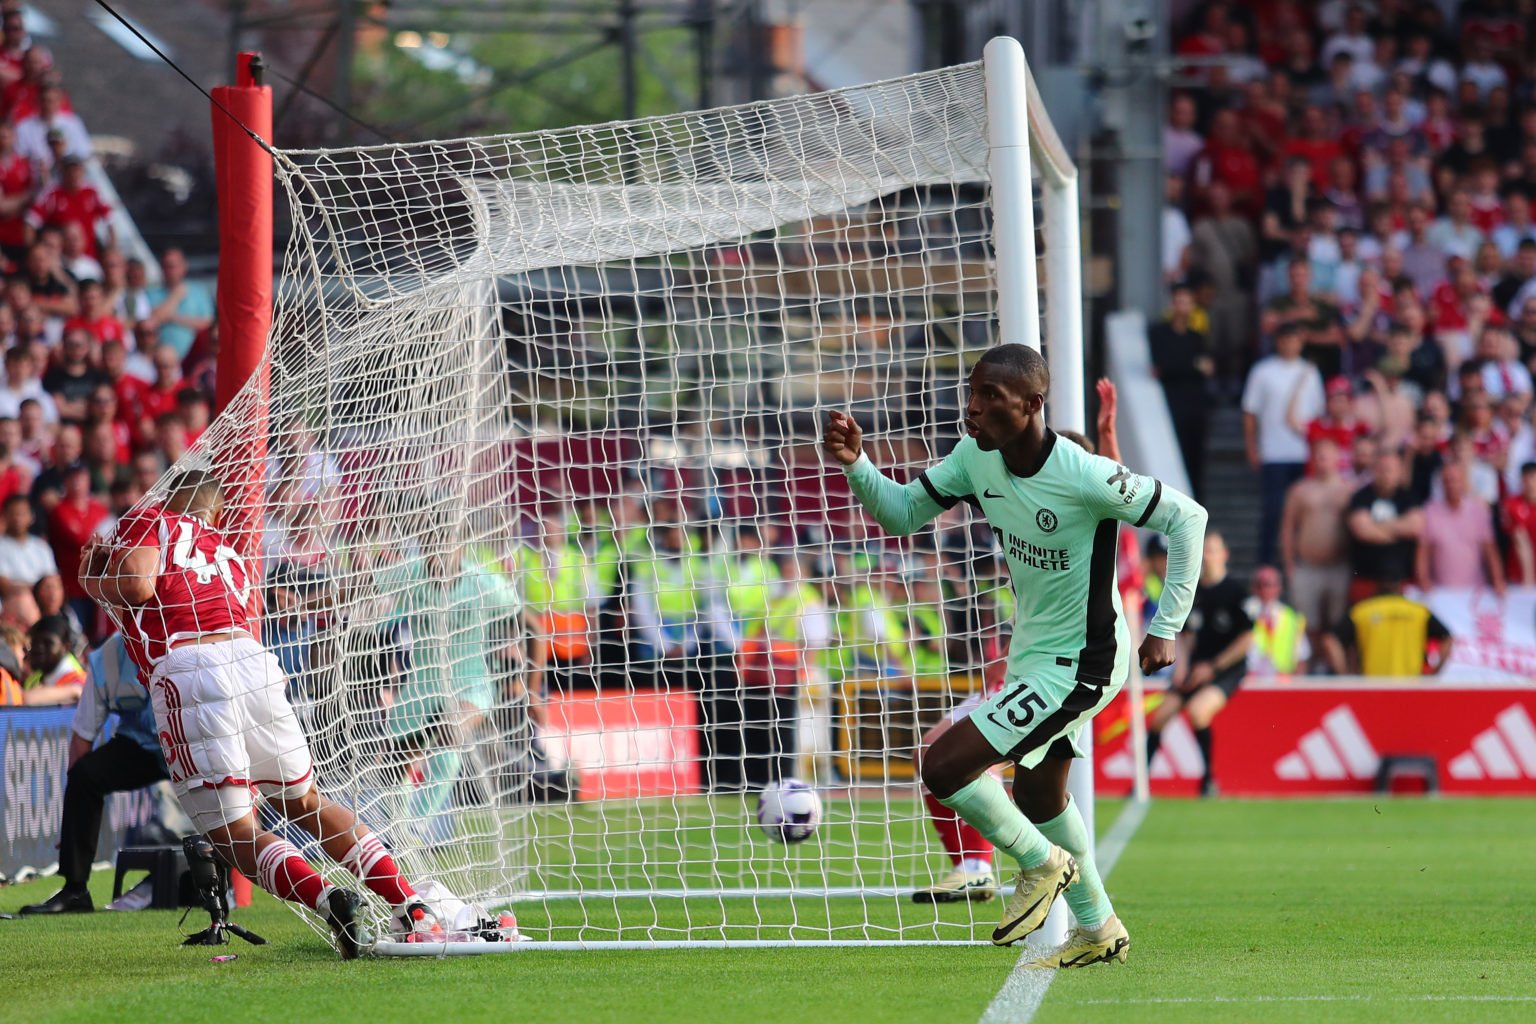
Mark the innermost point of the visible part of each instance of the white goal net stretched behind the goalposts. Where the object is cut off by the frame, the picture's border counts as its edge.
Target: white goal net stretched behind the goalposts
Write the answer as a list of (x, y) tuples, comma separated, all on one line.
[(551, 553)]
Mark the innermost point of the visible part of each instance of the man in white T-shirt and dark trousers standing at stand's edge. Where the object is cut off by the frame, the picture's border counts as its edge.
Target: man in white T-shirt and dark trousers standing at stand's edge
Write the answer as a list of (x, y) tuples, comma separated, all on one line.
[(1274, 448)]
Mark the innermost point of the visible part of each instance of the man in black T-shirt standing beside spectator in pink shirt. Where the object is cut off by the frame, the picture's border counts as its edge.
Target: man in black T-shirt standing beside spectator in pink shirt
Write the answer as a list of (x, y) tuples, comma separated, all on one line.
[(1385, 523)]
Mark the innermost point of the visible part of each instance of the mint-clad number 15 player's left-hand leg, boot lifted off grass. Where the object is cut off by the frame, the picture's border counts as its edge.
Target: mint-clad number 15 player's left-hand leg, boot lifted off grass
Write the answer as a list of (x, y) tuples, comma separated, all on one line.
[(956, 773)]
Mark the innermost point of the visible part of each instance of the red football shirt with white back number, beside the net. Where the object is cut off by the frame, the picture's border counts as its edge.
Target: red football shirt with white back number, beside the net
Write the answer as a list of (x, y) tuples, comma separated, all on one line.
[(202, 589)]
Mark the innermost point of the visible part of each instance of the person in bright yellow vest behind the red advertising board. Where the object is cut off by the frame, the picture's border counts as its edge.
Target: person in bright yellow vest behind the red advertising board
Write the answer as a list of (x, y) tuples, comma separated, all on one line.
[(1388, 635)]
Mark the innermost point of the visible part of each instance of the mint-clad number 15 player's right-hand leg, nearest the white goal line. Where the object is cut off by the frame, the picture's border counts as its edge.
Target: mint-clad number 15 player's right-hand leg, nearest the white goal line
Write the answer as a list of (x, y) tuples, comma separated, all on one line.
[(1099, 936)]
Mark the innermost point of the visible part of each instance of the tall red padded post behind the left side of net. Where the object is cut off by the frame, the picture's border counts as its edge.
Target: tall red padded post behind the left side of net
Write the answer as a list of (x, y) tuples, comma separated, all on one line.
[(245, 308)]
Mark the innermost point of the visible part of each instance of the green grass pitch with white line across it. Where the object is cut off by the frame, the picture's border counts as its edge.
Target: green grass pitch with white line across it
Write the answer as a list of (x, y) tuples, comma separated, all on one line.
[(1240, 911)]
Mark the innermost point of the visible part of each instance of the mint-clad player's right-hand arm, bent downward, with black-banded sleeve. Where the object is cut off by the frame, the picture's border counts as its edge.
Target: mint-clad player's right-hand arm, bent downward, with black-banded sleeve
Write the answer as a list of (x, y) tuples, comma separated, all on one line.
[(1117, 494)]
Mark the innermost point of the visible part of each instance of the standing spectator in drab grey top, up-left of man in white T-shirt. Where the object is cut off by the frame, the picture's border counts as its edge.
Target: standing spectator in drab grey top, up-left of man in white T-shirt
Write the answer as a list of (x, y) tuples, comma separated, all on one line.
[(1225, 253)]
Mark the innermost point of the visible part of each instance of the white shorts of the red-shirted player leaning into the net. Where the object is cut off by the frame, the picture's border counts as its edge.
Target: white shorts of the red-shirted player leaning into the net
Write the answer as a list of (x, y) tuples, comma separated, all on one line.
[(227, 730)]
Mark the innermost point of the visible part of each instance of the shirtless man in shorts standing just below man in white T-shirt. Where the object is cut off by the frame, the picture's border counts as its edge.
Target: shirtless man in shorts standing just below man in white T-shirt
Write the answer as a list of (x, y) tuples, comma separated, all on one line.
[(1314, 544)]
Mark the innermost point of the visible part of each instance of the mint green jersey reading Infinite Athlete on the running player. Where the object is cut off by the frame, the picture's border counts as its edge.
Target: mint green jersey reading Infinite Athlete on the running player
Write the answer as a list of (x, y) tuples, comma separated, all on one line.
[(1059, 532)]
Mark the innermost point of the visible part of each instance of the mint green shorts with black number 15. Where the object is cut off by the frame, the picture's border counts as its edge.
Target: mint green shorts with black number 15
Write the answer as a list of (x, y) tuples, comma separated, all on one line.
[(1031, 713)]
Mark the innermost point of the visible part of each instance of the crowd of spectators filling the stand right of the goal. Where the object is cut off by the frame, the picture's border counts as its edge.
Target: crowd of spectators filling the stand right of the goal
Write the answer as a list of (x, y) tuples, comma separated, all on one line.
[(1352, 257)]
